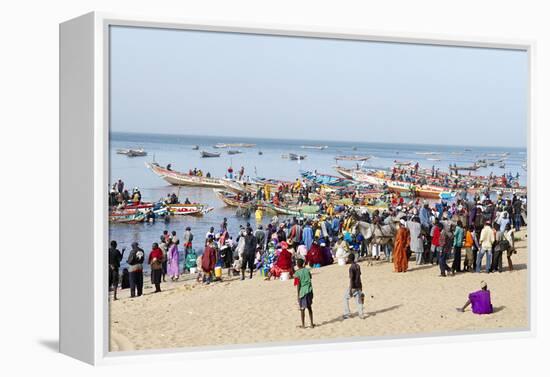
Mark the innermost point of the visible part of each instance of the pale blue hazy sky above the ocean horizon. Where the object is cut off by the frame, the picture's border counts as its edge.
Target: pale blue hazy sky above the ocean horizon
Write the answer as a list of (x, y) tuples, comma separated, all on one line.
[(205, 83)]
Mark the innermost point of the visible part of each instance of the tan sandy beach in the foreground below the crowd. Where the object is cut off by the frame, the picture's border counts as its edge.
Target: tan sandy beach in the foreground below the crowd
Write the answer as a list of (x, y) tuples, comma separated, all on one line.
[(189, 314)]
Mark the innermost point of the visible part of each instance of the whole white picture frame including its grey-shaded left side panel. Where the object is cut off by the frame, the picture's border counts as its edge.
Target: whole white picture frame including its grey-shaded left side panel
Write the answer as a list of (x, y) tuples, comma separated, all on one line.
[(84, 167)]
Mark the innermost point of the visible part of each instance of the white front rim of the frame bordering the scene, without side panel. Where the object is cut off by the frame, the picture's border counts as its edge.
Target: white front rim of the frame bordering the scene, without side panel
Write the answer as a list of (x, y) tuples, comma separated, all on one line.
[(103, 21)]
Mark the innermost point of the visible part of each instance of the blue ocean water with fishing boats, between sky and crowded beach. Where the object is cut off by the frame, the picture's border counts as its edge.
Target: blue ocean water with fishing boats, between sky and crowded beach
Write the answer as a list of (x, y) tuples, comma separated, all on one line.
[(177, 150)]
